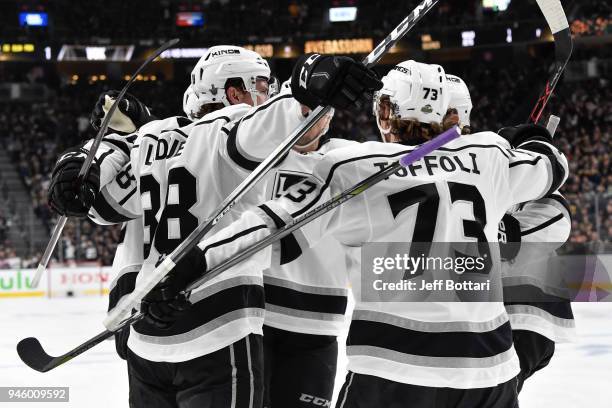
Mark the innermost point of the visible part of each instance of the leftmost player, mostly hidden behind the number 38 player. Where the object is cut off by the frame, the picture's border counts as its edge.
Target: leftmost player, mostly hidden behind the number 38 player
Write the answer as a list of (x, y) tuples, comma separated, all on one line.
[(95, 201)]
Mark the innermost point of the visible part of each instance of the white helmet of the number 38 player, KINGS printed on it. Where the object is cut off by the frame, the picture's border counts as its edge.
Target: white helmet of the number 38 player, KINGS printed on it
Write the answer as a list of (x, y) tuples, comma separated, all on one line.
[(222, 62)]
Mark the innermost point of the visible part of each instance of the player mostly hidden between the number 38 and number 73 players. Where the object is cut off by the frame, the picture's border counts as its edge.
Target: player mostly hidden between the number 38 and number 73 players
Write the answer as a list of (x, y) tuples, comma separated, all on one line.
[(305, 299)]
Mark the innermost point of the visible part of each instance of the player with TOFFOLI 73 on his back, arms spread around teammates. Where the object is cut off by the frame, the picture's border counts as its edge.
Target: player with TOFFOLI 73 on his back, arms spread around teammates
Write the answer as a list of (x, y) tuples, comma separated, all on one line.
[(419, 354)]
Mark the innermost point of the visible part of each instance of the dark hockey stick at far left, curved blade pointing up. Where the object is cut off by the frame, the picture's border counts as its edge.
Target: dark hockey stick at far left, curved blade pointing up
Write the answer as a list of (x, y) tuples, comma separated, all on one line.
[(61, 223)]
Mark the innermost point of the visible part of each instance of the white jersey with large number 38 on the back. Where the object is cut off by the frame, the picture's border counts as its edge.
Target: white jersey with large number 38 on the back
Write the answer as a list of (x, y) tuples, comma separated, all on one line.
[(183, 174)]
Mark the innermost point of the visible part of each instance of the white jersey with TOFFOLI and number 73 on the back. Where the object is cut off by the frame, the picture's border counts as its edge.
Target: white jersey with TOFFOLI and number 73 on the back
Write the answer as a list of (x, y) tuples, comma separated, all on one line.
[(456, 194)]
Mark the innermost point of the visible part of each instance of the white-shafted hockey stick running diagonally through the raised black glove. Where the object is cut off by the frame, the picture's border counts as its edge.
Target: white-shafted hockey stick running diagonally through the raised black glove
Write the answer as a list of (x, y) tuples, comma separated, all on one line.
[(131, 301)]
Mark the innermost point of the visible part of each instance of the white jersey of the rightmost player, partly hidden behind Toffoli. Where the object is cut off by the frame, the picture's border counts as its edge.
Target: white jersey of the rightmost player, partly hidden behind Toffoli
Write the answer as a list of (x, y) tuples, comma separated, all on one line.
[(545, 225)]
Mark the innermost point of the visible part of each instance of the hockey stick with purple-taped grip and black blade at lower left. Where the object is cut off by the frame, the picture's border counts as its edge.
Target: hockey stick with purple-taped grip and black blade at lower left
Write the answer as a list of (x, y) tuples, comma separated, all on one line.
[(32, 353)]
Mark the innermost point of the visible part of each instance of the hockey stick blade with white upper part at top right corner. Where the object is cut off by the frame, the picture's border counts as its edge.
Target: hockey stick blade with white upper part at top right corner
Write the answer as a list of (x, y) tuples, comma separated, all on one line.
[(557, 21)]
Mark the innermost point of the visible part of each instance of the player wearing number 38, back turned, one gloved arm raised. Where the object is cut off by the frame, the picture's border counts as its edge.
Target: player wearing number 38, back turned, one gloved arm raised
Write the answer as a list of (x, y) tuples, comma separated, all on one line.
[(183, 173)]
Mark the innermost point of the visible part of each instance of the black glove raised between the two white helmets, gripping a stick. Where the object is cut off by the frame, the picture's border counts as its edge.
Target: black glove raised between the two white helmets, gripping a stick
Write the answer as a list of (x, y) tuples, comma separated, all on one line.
[(330, 80)]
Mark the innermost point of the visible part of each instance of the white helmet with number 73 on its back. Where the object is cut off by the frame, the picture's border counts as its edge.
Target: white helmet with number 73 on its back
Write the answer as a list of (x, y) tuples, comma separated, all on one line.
[(415, 91)]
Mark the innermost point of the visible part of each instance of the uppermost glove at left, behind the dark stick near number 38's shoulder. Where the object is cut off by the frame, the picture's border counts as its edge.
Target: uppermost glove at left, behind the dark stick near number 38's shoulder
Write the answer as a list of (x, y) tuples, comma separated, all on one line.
[(130, 115)]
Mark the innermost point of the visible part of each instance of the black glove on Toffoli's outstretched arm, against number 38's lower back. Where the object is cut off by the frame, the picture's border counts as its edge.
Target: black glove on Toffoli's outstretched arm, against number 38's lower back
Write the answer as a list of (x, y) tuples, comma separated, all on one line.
[(167, 302)]
